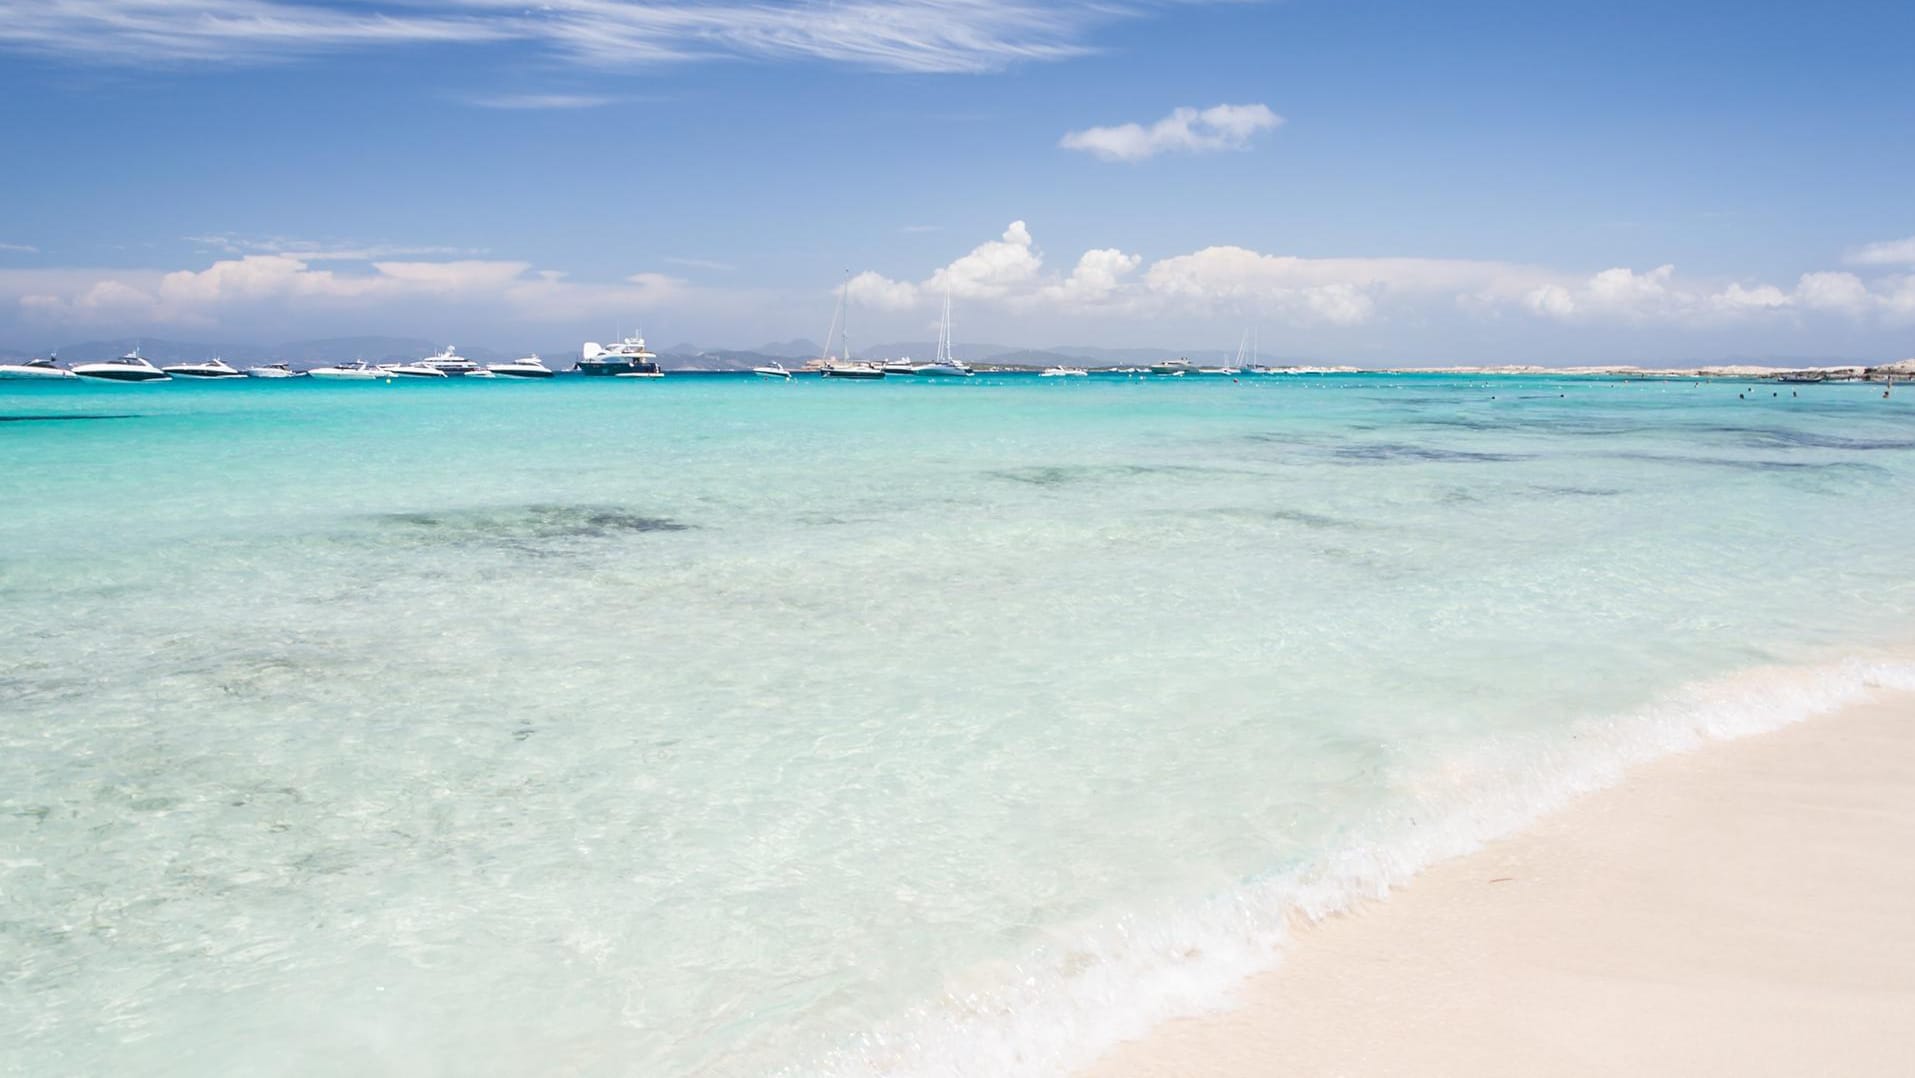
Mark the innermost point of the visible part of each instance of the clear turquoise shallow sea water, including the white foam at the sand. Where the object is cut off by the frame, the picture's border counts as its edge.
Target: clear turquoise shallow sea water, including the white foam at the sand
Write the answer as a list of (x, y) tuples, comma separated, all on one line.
[(721, 727)]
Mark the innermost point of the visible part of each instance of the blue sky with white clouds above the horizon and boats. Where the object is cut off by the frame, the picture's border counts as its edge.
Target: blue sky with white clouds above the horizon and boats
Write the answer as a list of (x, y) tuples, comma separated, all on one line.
[(1353, 181)]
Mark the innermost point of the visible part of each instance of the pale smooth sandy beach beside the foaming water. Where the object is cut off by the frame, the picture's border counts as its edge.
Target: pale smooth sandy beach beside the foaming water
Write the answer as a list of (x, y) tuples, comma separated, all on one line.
[(1734, 910)]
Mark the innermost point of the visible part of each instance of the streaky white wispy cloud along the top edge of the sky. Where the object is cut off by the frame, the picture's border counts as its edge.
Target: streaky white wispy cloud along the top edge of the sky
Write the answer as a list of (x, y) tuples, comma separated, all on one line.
[(888, 35)]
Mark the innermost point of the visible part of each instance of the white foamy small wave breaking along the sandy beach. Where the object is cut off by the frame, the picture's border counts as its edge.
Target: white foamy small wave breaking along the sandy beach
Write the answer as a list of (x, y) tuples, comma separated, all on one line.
[(1094, 985)]
